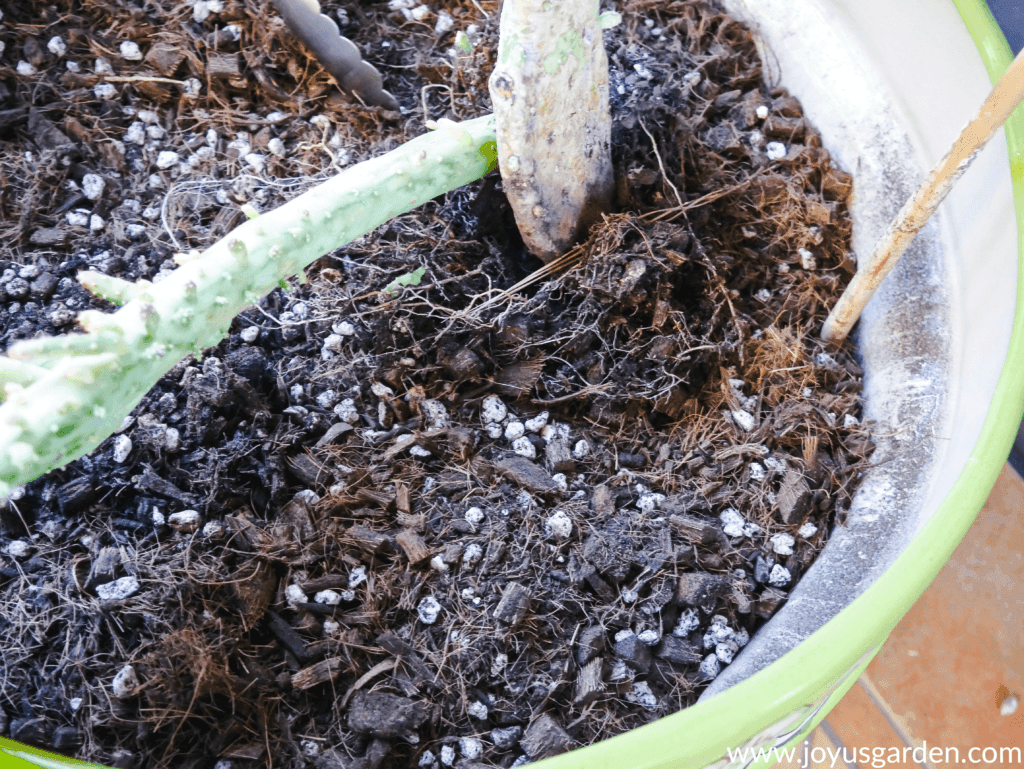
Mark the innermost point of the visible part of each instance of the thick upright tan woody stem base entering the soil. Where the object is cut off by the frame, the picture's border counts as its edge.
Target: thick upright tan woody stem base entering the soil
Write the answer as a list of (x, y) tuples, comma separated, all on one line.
[(550, 94)]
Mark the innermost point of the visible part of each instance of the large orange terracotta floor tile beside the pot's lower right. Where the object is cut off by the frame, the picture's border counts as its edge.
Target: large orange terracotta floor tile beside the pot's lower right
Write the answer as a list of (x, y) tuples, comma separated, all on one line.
[(960, 652)]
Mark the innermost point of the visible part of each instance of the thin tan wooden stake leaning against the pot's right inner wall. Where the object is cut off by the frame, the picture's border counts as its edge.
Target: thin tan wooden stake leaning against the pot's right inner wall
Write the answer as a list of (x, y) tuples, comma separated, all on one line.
[(1001, 103)]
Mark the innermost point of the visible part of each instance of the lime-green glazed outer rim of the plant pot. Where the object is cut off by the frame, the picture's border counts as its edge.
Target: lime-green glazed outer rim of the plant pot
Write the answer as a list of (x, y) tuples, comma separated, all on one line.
[(784, 703)]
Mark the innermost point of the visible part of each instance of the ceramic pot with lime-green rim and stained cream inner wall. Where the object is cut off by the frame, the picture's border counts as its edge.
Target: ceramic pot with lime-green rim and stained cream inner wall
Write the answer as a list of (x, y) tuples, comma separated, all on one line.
[(889, 86)]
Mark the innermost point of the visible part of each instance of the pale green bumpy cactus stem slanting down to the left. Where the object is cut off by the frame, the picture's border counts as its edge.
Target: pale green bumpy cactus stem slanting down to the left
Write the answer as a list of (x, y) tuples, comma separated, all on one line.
[(66, 395)]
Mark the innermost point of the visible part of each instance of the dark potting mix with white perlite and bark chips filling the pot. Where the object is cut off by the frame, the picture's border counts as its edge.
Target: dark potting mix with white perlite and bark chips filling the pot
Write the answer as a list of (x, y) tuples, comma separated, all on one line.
[(434, 506)]
